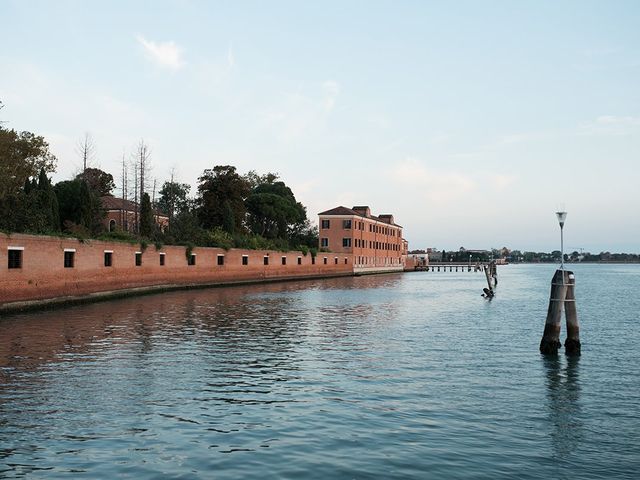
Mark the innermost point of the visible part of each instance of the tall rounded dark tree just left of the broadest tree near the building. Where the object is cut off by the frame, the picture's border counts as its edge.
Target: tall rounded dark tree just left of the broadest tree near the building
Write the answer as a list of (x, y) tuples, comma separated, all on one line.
[(217, 186)]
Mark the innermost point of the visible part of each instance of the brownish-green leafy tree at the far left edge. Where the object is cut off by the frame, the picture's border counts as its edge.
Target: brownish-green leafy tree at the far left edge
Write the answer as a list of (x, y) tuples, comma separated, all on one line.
[(22, 156)]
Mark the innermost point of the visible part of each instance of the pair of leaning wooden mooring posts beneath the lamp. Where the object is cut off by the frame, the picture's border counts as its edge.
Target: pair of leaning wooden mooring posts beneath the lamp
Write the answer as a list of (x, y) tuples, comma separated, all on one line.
[(562, 294)]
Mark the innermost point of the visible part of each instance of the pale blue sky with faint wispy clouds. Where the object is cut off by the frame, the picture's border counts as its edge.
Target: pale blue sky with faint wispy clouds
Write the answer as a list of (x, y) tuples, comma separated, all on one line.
[(471, 122)]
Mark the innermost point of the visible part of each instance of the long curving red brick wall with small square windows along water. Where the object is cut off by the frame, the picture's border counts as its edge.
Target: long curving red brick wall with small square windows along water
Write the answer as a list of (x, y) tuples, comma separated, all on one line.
[(43, 275)]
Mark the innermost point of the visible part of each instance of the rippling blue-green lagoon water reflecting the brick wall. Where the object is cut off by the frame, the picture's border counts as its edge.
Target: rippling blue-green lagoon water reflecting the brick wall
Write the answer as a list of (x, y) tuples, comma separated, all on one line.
[(391, 376)]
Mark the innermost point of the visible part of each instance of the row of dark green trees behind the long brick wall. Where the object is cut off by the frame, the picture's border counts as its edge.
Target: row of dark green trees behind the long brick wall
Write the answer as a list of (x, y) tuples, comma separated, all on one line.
[(227, 210)]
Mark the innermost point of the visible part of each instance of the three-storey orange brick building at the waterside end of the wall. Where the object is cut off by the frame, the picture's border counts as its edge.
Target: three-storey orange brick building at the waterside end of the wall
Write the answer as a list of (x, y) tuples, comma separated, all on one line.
[(374, 242)]
